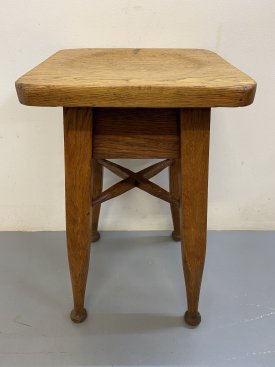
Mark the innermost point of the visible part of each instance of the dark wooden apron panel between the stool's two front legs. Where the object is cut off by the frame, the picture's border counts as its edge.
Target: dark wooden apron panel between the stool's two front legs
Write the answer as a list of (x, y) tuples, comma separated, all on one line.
[(136, 133)]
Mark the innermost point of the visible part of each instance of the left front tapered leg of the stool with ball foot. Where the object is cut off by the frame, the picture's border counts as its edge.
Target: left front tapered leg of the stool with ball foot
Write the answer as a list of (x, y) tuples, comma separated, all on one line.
[(78, 161)]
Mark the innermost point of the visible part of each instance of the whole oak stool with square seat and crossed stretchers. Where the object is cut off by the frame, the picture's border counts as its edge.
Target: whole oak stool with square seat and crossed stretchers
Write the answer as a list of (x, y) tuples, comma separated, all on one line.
[(136, 103)]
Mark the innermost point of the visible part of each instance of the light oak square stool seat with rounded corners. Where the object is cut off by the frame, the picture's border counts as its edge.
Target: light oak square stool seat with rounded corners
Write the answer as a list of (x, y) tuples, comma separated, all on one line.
[(136, 78)]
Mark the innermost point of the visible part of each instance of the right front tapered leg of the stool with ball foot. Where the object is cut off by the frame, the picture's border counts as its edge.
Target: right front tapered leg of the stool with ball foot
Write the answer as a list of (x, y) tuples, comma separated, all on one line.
[(194, 146)]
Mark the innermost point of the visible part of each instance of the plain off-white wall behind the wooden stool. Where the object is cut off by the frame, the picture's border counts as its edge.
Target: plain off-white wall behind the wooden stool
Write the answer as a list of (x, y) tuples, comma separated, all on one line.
[(242, 159)]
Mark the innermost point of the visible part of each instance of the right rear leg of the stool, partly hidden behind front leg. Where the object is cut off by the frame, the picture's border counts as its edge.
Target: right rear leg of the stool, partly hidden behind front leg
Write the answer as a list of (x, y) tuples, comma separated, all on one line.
[(175, 191)]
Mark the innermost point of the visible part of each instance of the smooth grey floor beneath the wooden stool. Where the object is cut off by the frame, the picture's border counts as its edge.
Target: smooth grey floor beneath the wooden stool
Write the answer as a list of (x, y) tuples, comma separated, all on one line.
[(136, 299)]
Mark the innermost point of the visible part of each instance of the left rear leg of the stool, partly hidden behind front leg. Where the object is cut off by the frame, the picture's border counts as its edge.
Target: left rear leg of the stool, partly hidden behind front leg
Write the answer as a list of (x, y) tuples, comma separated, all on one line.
[(97, 178)]
